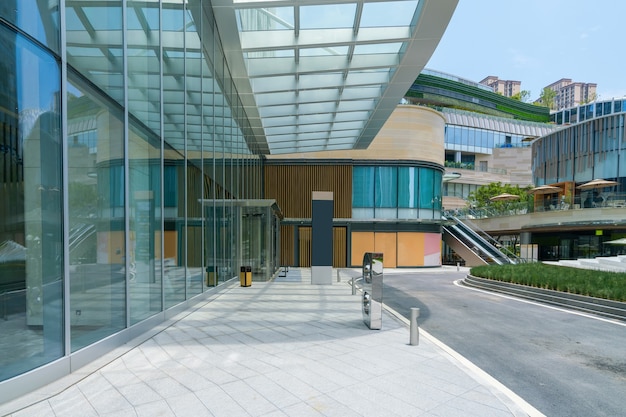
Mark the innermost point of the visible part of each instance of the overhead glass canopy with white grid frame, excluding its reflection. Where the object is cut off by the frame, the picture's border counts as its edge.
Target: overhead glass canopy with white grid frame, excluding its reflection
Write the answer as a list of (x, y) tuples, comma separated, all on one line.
[(318, 75)]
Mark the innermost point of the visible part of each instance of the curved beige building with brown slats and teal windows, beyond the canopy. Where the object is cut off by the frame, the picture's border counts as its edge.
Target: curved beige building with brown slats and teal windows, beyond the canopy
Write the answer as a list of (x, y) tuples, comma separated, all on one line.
[(387, 197)]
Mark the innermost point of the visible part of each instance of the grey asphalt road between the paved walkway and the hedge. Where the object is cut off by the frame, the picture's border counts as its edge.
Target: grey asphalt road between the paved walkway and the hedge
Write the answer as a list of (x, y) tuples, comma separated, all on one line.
[(563, 364)]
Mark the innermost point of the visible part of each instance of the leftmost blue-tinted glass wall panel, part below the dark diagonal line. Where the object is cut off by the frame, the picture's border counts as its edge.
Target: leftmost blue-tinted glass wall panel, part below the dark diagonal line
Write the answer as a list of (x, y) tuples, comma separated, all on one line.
[(31, 220)]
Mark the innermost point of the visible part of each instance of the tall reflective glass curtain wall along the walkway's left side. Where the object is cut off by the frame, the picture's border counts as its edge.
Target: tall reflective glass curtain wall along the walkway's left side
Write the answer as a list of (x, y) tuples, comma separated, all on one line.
[(123, 172)]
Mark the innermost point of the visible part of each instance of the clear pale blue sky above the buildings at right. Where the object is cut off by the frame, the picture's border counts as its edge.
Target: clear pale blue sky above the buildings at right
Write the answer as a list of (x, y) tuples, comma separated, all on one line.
[(537, 42)]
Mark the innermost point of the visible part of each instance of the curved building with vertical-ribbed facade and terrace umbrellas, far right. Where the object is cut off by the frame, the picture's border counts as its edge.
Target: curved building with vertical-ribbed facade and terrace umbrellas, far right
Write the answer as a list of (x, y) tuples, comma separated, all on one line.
[(570, 159)]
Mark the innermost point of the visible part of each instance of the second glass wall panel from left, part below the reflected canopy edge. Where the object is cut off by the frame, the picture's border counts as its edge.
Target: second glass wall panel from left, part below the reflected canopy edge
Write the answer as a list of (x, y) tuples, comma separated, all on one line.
[(96, 214)]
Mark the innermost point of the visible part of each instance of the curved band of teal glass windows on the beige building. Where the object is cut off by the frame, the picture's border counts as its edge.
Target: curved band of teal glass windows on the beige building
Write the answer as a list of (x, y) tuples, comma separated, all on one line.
[(392, 192)]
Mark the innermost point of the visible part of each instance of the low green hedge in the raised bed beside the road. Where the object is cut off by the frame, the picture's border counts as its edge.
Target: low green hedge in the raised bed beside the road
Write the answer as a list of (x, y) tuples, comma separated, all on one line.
[(600, 284)]
